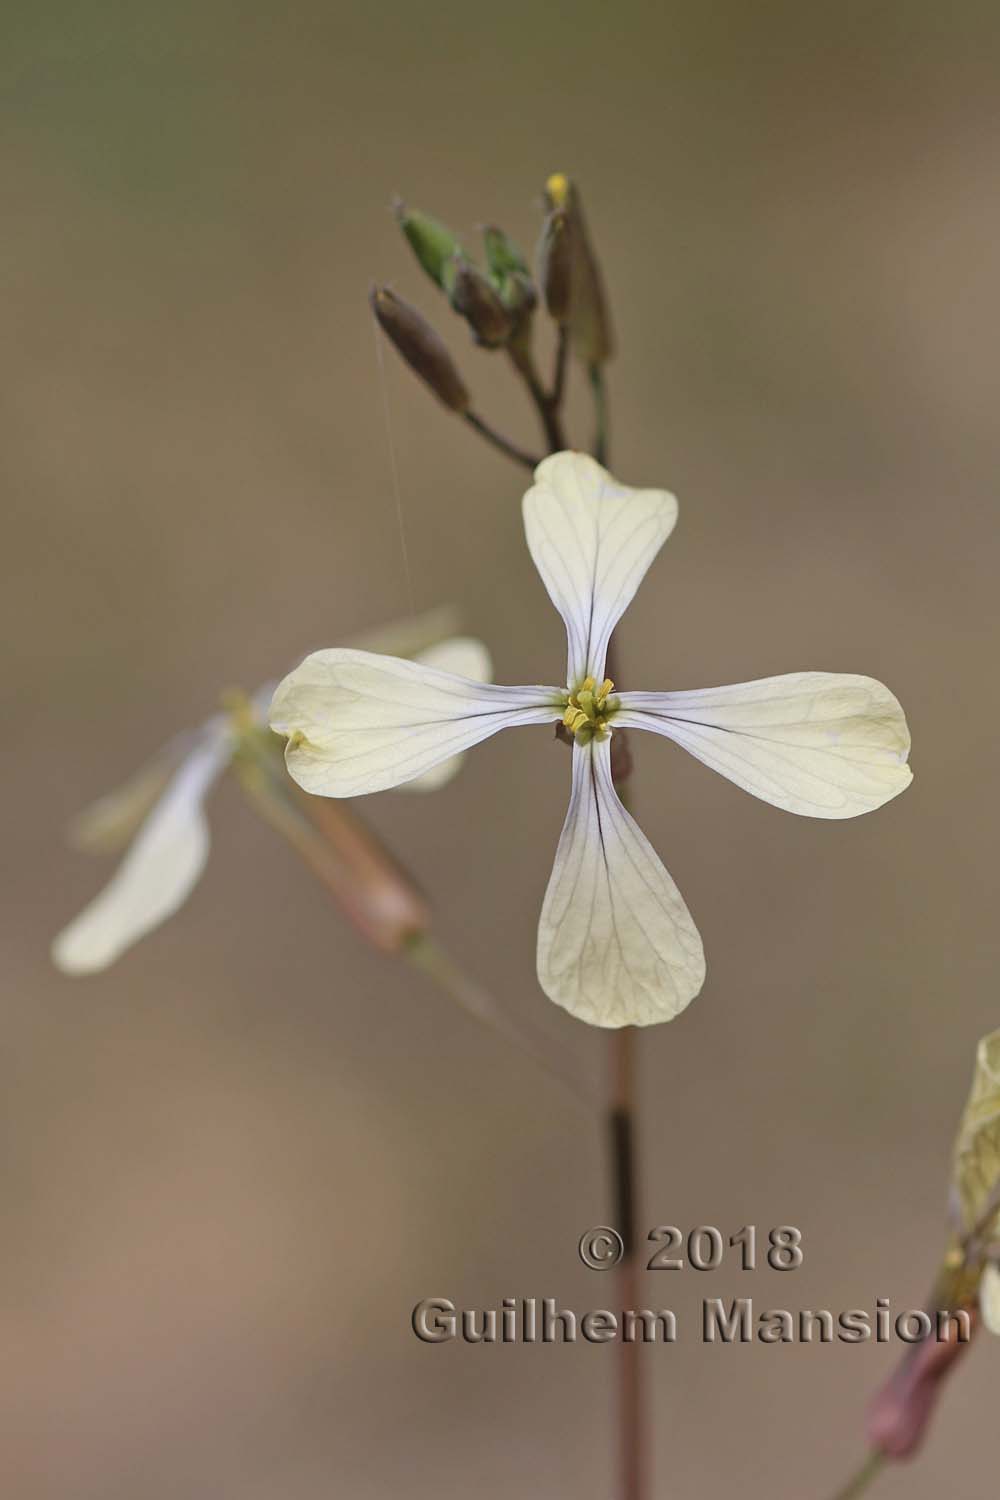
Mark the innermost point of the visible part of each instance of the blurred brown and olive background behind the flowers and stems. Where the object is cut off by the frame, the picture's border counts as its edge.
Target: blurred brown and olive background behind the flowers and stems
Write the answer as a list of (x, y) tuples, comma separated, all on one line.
[(235, 1162)]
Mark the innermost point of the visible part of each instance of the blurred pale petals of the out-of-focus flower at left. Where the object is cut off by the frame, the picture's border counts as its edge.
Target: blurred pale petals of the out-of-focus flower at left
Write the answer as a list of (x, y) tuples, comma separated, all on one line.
[(163, 811)]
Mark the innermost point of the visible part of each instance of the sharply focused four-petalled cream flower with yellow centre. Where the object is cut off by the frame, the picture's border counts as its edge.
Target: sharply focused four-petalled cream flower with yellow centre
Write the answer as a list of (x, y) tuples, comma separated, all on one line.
[(617, 944)]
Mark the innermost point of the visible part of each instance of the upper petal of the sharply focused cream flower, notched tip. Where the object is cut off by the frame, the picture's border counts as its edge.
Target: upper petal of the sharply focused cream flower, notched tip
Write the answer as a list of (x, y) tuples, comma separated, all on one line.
[(593, 541)]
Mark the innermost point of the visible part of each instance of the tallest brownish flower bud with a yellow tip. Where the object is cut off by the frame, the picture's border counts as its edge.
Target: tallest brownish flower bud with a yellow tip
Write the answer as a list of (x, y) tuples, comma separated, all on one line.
[(587, 313)]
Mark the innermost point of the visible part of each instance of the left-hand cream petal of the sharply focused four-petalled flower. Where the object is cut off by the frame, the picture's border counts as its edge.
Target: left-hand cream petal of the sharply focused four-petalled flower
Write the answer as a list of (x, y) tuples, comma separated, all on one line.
[(362, 724)]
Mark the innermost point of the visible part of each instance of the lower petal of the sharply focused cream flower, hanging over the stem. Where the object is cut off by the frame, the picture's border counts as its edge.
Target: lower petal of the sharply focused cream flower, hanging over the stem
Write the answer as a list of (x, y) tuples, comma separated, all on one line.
[(617, 946)]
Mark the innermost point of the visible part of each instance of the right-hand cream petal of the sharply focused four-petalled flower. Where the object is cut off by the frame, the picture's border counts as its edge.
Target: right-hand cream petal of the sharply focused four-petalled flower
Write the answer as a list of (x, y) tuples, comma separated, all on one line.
[(824, 745)]
